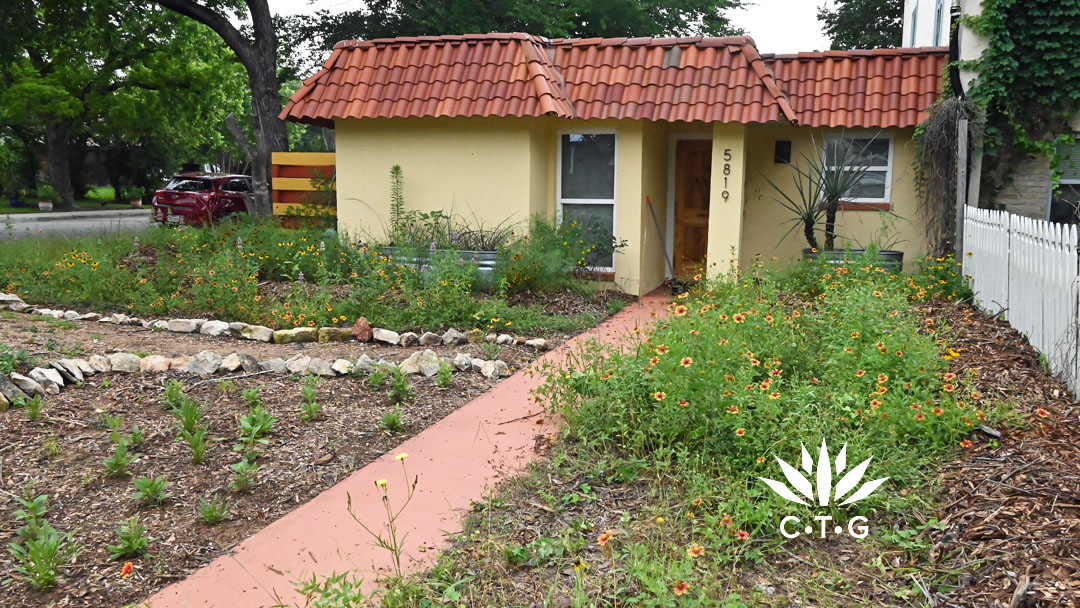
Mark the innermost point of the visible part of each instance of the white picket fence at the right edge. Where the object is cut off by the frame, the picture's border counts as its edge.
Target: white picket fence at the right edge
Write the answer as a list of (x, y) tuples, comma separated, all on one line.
[(1030, 272)]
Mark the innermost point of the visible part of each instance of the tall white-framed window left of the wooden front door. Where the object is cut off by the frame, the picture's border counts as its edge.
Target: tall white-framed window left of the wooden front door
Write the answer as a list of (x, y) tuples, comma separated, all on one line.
[(587, 191)]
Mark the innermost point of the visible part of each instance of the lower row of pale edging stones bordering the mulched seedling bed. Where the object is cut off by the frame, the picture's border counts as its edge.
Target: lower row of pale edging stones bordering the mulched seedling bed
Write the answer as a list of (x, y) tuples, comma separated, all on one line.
[(50, 379)]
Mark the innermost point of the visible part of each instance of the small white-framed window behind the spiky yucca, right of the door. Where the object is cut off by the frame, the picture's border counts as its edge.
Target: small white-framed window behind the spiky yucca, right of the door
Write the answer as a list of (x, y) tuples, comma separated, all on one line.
[(870, 154)]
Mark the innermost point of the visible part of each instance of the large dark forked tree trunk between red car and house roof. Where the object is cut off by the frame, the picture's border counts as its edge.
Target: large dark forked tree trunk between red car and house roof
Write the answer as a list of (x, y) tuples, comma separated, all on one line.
[(260, 58)]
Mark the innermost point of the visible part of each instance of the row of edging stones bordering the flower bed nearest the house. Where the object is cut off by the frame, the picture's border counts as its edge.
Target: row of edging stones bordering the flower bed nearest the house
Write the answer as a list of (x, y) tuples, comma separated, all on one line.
[(362, 331)]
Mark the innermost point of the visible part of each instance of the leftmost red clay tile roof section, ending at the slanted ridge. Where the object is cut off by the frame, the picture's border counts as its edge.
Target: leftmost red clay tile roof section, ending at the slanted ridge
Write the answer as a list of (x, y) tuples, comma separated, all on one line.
[(447, 76)]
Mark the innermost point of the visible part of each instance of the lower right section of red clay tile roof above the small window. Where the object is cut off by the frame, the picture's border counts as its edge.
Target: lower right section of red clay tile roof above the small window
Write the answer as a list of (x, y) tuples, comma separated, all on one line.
[(875, 89)]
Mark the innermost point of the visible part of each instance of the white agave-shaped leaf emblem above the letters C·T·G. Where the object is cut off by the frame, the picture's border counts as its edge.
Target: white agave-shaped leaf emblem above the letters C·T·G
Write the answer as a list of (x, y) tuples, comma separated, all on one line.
[(826, 490)]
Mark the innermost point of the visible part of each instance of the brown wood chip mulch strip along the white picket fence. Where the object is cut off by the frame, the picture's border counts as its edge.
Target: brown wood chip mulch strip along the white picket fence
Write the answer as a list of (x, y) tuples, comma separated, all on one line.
[(1012, 515)]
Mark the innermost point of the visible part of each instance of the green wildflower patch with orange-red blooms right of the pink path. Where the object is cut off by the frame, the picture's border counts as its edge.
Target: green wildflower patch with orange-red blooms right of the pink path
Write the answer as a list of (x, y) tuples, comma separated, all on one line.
[(653, 495)]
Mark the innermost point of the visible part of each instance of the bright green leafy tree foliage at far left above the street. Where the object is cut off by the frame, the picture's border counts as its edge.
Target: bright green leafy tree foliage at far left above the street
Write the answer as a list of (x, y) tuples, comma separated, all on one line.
[(124, 75)]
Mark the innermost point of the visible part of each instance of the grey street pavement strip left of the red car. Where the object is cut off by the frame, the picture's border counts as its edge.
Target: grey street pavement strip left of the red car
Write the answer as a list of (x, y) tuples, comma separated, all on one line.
[(74, 224)]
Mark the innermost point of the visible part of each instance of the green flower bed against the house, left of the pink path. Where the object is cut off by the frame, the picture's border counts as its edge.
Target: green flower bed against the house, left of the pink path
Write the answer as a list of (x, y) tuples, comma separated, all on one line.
[(259, 273)]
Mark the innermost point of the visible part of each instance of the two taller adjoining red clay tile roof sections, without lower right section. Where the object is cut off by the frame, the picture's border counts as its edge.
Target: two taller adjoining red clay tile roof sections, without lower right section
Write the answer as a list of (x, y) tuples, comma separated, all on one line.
[(712, 79)]
